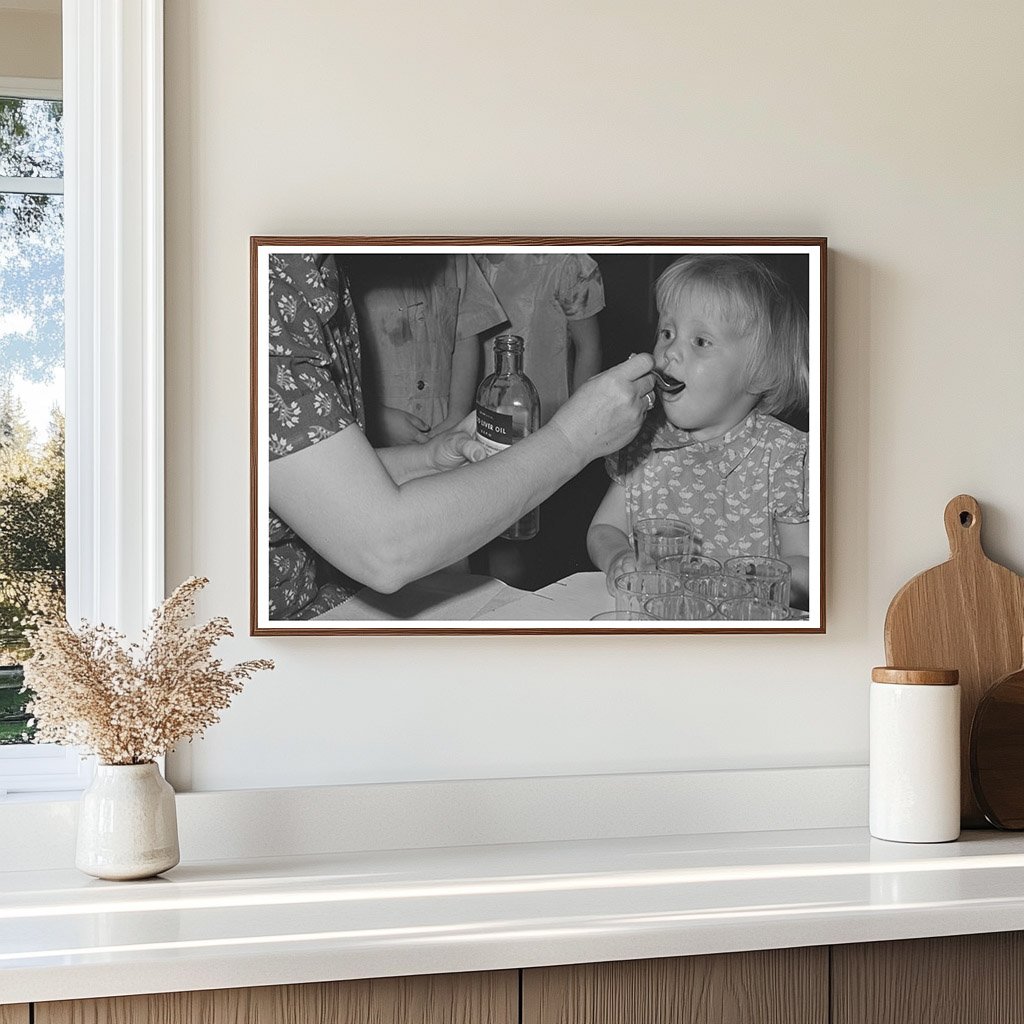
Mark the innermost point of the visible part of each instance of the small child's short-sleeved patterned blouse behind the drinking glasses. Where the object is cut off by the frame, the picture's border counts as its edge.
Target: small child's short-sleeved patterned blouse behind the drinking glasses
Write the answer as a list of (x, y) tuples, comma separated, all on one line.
[(733, 490)]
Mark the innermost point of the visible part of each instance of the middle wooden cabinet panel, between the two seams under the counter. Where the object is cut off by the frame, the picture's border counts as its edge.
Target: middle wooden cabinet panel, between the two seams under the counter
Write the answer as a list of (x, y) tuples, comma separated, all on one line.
[(774, 987)]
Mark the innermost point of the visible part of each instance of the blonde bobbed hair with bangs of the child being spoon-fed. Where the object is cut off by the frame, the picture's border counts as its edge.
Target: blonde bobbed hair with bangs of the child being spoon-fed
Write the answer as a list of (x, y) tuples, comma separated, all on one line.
[(754, 301)]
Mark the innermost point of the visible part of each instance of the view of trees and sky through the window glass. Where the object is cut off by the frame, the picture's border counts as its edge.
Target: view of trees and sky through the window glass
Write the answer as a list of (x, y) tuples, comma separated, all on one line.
[(32, 435)]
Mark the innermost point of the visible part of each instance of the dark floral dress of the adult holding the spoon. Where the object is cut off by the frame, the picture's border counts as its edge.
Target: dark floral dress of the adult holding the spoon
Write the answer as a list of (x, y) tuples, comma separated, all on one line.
[(315, 394)]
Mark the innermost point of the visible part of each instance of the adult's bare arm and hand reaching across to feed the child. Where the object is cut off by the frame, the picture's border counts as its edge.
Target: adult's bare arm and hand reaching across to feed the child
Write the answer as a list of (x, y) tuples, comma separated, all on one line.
[(339, 498)]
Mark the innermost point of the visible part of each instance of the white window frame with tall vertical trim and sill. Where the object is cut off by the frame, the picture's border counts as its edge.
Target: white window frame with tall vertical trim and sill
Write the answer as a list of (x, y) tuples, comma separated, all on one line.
[(114, 342)]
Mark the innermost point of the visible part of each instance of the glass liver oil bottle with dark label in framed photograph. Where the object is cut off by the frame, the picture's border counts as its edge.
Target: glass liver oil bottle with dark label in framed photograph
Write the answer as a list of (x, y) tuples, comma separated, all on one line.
[(508, 409)]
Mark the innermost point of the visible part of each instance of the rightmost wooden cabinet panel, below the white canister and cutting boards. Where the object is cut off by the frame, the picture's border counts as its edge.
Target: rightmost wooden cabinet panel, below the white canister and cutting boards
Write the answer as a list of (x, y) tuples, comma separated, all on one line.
[(964, 979)]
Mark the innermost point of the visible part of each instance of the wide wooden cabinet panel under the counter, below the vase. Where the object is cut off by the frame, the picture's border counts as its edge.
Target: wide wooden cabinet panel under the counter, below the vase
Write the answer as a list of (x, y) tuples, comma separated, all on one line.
[(457, 999)]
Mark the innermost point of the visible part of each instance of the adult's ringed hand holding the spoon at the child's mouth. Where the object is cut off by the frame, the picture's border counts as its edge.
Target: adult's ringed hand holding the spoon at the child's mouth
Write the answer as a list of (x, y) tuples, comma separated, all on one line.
[(609, 410)]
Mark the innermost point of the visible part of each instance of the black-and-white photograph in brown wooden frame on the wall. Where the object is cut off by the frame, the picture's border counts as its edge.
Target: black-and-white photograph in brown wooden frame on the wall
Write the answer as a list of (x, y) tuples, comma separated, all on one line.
[(538, 436)]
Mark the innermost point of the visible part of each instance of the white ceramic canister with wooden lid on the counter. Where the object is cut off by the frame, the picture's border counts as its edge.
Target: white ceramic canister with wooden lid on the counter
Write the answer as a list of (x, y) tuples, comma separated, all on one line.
[(916, 755)]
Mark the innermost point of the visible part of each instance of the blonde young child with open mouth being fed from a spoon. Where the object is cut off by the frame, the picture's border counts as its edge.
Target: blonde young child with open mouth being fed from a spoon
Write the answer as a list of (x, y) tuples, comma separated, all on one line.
[(716, 455)]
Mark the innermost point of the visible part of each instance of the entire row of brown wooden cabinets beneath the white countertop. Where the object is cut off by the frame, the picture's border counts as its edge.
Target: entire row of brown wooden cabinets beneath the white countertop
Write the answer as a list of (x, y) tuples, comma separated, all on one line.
[(973, 979)]
